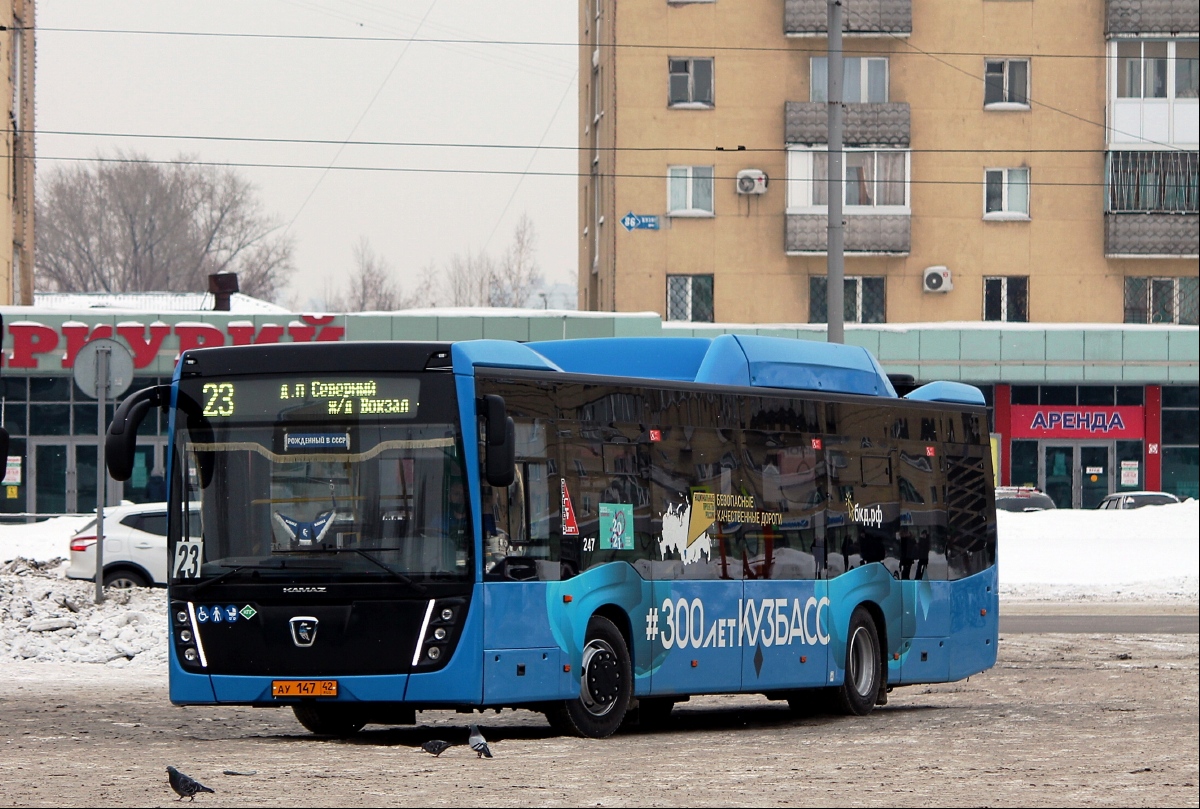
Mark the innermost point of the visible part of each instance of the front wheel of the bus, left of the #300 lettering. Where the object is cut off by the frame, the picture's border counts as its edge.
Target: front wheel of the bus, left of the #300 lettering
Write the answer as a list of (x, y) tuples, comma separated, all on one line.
[(607, 684)]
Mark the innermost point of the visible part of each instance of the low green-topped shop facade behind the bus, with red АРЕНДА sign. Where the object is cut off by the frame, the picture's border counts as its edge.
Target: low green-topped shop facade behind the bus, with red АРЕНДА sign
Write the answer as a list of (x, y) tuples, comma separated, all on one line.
[(1079, 412)]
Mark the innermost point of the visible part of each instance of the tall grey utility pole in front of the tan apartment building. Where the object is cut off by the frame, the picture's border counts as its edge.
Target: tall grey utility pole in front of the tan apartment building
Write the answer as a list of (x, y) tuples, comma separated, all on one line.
[(836, 268)]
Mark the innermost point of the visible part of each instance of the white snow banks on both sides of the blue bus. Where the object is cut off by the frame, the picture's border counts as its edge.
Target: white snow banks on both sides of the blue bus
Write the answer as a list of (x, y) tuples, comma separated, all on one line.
[(1150, 555)]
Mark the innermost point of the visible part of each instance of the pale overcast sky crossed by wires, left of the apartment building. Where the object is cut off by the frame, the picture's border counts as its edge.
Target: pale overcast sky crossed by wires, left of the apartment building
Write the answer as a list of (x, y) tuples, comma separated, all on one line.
[(100, 88)]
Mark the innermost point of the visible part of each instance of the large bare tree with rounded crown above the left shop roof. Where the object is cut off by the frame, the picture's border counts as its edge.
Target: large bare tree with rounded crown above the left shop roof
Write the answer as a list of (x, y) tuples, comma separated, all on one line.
[(131, 225)]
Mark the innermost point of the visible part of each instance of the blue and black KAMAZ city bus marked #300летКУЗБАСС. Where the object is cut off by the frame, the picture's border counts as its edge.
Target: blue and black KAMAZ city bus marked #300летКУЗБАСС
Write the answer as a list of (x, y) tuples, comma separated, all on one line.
[(596, 530)]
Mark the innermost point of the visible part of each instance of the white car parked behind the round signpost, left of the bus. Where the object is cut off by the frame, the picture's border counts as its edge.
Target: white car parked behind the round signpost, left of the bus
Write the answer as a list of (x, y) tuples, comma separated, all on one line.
[(135, 548)]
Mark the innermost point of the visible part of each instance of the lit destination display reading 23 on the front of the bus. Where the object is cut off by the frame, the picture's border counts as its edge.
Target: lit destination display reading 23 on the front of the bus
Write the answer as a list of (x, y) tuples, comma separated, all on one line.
[(313, 398)]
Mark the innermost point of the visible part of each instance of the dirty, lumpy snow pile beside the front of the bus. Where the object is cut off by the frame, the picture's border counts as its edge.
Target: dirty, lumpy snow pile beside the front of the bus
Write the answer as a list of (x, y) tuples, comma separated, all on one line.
[(47, 619)]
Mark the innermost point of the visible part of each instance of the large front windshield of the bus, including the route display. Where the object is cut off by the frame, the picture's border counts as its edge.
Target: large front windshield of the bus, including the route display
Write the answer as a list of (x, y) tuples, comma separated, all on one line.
[(341, 477)]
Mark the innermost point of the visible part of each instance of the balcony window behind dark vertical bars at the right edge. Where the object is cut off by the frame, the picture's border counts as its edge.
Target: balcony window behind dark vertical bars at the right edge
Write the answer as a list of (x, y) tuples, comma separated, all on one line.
[(1163, 182)]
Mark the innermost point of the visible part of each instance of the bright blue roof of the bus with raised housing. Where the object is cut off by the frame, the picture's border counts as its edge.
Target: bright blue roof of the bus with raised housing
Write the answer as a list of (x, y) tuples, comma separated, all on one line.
[(739, 361)]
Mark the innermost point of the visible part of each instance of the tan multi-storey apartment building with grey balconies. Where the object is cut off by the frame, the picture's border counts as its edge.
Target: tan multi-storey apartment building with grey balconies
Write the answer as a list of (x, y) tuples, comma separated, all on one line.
[(1006, 160)]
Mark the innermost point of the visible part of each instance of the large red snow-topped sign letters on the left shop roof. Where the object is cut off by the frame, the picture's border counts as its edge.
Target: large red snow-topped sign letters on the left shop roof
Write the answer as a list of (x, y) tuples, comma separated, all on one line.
[(31, 340)]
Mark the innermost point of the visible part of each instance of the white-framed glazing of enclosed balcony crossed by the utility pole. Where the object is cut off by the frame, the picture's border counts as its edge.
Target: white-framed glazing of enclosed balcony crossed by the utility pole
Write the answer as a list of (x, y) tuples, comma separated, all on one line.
[(877, 181)]
